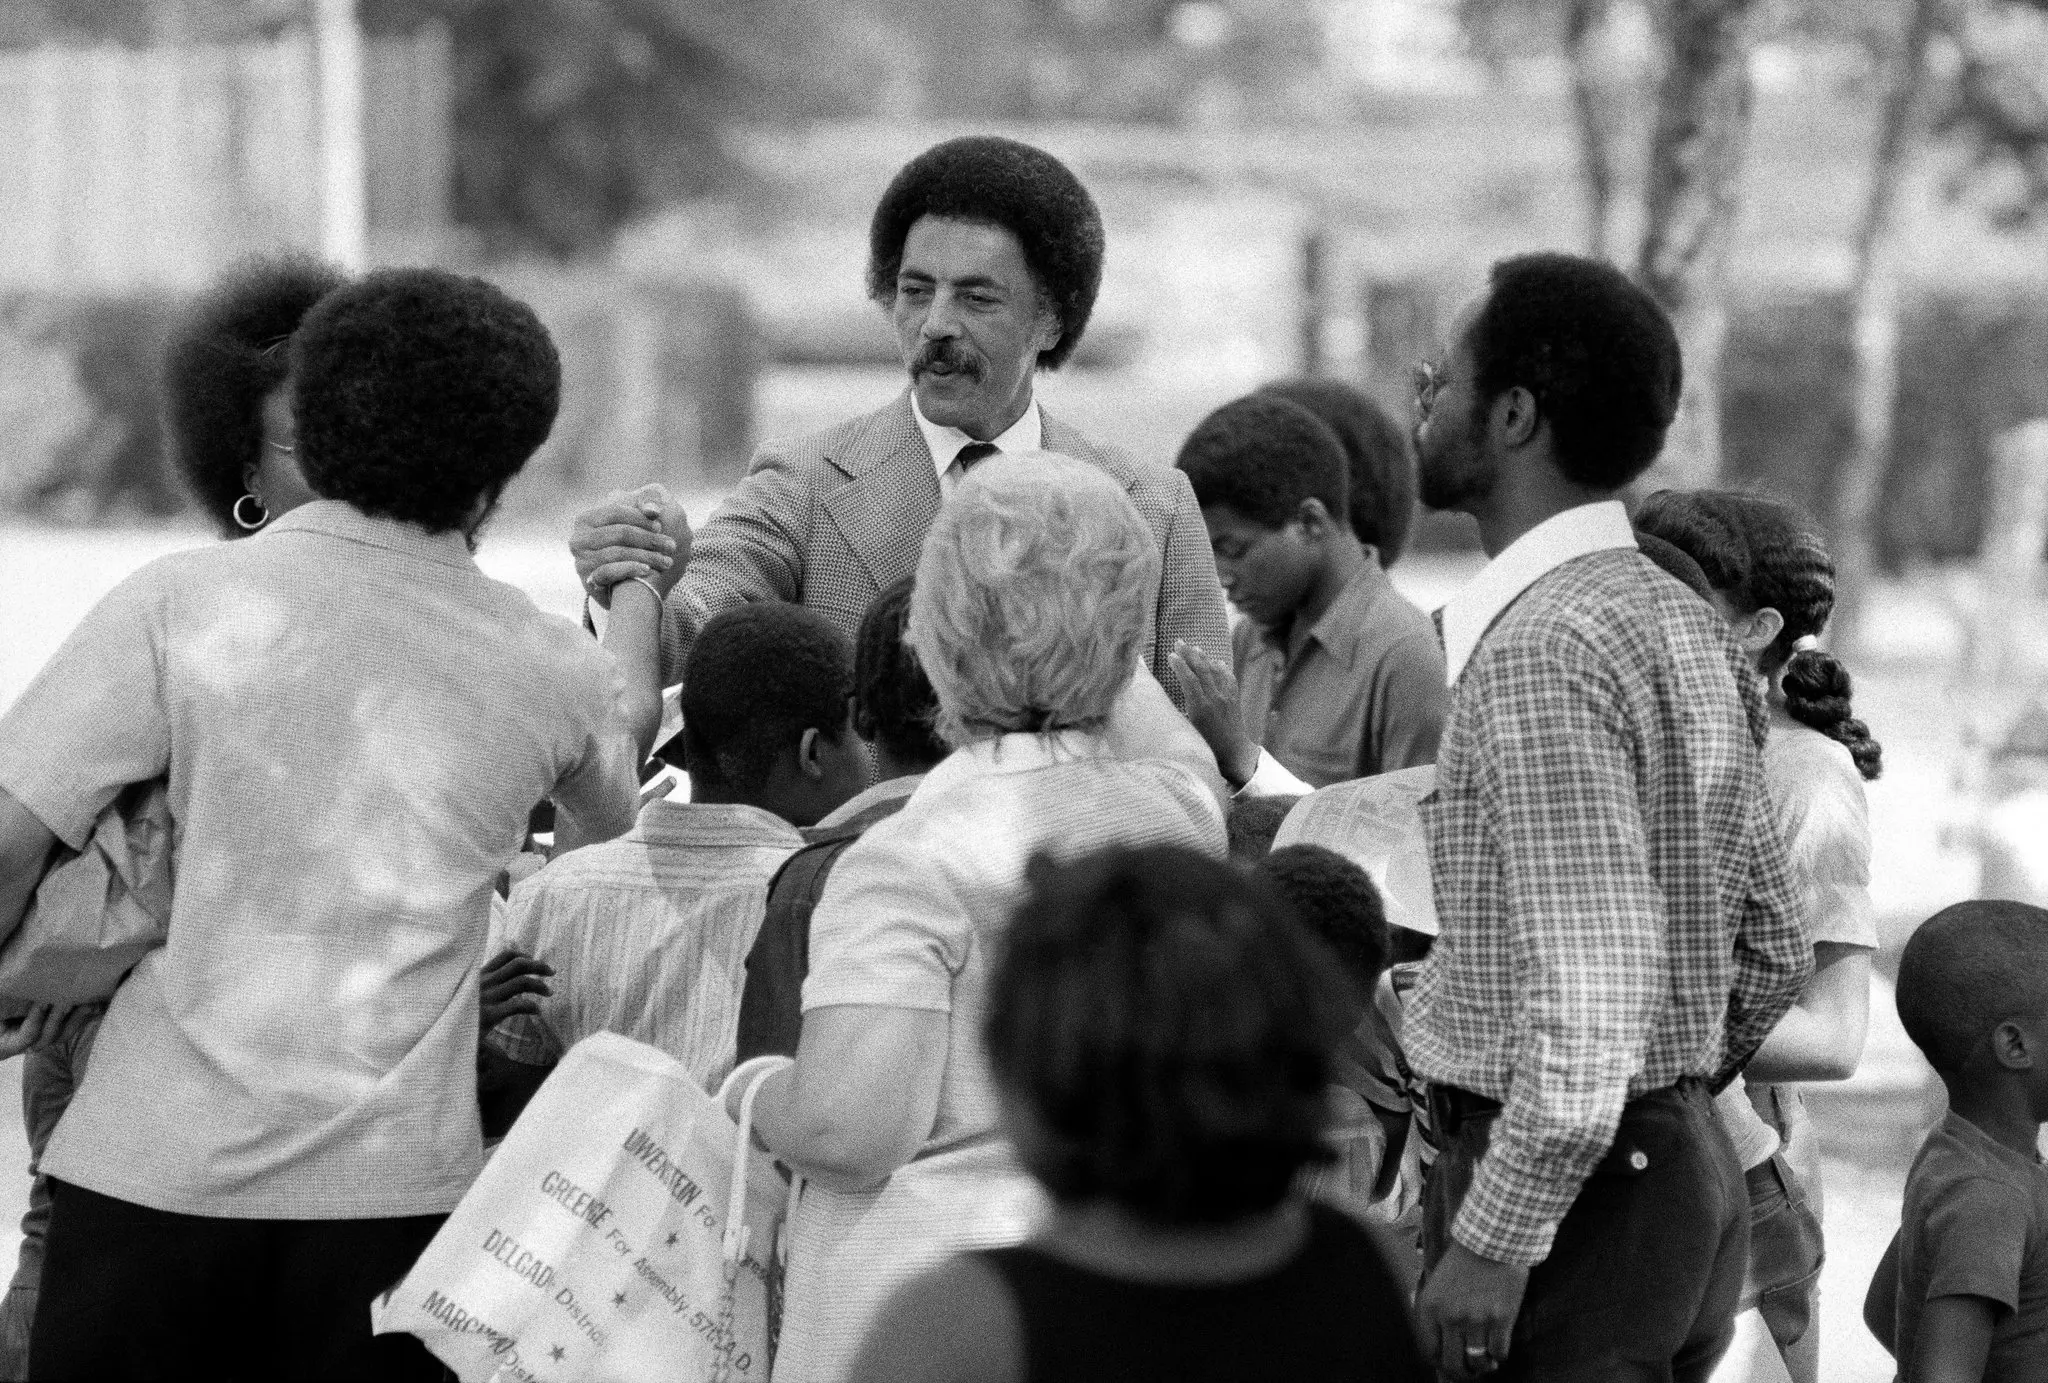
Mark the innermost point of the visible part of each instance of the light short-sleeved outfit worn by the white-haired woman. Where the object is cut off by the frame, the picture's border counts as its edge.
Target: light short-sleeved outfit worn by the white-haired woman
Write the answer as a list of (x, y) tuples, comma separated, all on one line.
[(908, 921)]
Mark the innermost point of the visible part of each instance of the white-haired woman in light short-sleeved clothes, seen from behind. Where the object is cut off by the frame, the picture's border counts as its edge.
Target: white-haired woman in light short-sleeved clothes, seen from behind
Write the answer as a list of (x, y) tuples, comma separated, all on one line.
[(1029, 616)]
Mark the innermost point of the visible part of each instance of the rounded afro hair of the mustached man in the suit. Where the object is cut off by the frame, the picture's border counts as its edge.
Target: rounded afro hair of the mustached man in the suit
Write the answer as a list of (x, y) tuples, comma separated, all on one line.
[(1025, 192)]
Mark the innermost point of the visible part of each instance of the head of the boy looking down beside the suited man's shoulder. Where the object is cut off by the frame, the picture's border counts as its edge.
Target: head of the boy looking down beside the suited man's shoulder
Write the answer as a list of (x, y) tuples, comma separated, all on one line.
[(1271, 480)]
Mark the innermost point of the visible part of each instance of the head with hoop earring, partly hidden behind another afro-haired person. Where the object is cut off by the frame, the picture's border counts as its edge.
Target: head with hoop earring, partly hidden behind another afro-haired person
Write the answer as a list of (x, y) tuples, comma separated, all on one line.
[(226, 394)]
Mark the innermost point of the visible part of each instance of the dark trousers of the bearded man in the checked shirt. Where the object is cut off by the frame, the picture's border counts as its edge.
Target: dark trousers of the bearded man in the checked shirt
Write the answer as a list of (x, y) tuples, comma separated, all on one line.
[(1648, 1267)]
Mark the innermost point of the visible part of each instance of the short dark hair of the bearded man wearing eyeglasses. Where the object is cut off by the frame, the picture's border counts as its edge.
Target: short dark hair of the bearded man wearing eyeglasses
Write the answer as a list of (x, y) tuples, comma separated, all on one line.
[(1596, 353)]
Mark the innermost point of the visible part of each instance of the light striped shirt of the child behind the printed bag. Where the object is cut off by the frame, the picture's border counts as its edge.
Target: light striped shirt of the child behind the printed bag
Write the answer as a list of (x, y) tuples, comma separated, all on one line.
[(650, 935)]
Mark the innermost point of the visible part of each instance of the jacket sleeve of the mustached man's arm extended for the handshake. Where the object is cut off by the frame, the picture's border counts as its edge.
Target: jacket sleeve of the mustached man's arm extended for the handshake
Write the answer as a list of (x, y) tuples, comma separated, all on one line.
[(751, 550)]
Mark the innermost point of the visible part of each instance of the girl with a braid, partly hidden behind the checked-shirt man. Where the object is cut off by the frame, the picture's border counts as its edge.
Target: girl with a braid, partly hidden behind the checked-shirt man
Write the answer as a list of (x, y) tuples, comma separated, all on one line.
[(1775, 583)]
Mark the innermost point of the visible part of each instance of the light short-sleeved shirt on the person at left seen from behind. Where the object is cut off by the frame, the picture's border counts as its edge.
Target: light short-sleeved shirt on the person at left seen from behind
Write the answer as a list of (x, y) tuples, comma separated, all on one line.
[(353, 724)]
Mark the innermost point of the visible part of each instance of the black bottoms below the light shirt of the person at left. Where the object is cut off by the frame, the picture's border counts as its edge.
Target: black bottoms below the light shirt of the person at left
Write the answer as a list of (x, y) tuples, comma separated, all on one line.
[(140, 1294)]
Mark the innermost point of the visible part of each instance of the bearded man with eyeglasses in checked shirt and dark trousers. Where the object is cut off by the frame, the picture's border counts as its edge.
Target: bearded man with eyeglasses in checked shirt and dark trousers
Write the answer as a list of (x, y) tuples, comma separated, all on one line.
[(1617, 919)]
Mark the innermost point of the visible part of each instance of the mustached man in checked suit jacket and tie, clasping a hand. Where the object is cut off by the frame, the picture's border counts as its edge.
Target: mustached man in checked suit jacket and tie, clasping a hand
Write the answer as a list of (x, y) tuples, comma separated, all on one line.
[(988, 255)]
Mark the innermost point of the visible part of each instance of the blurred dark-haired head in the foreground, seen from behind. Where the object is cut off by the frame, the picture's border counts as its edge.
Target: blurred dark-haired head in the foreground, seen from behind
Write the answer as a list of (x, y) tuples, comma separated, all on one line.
[(1162, 1034)]
